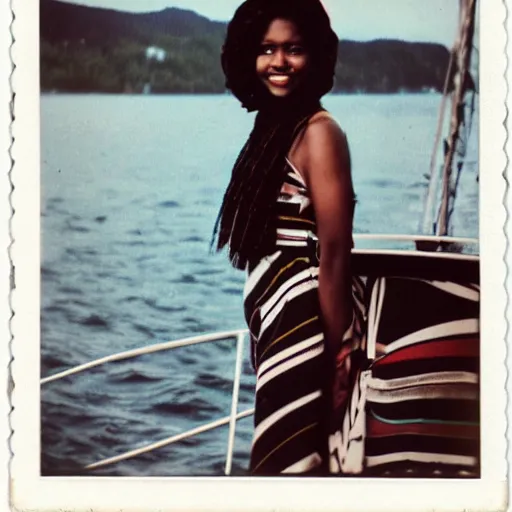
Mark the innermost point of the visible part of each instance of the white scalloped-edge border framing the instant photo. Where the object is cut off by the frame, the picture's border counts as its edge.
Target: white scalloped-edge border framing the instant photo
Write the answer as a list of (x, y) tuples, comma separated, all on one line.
[(30, 491)]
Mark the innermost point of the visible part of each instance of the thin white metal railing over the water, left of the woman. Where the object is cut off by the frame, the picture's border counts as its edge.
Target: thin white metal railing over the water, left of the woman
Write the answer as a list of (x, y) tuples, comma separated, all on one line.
[(230, 420)]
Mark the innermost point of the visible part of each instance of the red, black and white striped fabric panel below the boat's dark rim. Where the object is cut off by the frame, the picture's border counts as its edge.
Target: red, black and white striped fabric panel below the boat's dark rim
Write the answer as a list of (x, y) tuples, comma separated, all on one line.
[(422, 393)]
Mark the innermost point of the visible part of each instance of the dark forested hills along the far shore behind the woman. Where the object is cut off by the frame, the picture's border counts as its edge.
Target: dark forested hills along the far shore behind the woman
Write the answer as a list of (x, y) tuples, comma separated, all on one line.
[(85, 49)]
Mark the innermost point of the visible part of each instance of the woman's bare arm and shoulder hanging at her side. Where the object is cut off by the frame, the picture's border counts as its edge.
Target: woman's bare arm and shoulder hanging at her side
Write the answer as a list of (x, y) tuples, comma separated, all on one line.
[(322, 156)]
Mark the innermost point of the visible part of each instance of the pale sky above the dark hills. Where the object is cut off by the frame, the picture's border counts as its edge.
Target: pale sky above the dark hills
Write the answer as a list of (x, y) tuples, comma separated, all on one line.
[(410, 20)]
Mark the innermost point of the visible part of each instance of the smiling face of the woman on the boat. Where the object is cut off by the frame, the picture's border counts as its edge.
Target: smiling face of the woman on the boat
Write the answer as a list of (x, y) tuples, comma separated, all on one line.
[(282, 61)]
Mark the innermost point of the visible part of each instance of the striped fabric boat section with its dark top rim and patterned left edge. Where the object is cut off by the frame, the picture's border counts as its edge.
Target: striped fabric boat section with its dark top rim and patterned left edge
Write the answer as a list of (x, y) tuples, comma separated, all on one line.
[(414, 406)]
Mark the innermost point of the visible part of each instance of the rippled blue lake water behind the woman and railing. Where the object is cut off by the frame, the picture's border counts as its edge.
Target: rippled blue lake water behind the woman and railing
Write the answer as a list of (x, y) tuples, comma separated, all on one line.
[(131, 186)]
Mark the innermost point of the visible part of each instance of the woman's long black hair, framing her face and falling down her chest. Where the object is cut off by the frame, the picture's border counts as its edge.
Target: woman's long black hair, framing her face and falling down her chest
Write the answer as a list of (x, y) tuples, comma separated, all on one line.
[(246, 221)]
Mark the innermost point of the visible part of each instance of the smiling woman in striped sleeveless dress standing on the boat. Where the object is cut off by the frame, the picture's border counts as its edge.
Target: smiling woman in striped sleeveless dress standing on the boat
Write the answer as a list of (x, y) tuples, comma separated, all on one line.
[(290, 194)]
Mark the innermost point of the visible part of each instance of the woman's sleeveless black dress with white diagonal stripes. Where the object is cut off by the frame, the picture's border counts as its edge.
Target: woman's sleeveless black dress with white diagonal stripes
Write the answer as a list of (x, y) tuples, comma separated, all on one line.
[(295, 403)]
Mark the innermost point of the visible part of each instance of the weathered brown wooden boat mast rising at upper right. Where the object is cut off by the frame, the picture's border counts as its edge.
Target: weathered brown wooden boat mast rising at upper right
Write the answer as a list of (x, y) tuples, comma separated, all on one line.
[(463, 50)]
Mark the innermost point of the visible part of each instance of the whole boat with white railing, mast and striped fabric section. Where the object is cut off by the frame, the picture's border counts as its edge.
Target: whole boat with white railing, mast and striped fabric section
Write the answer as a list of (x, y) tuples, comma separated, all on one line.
[(440, 269)]
